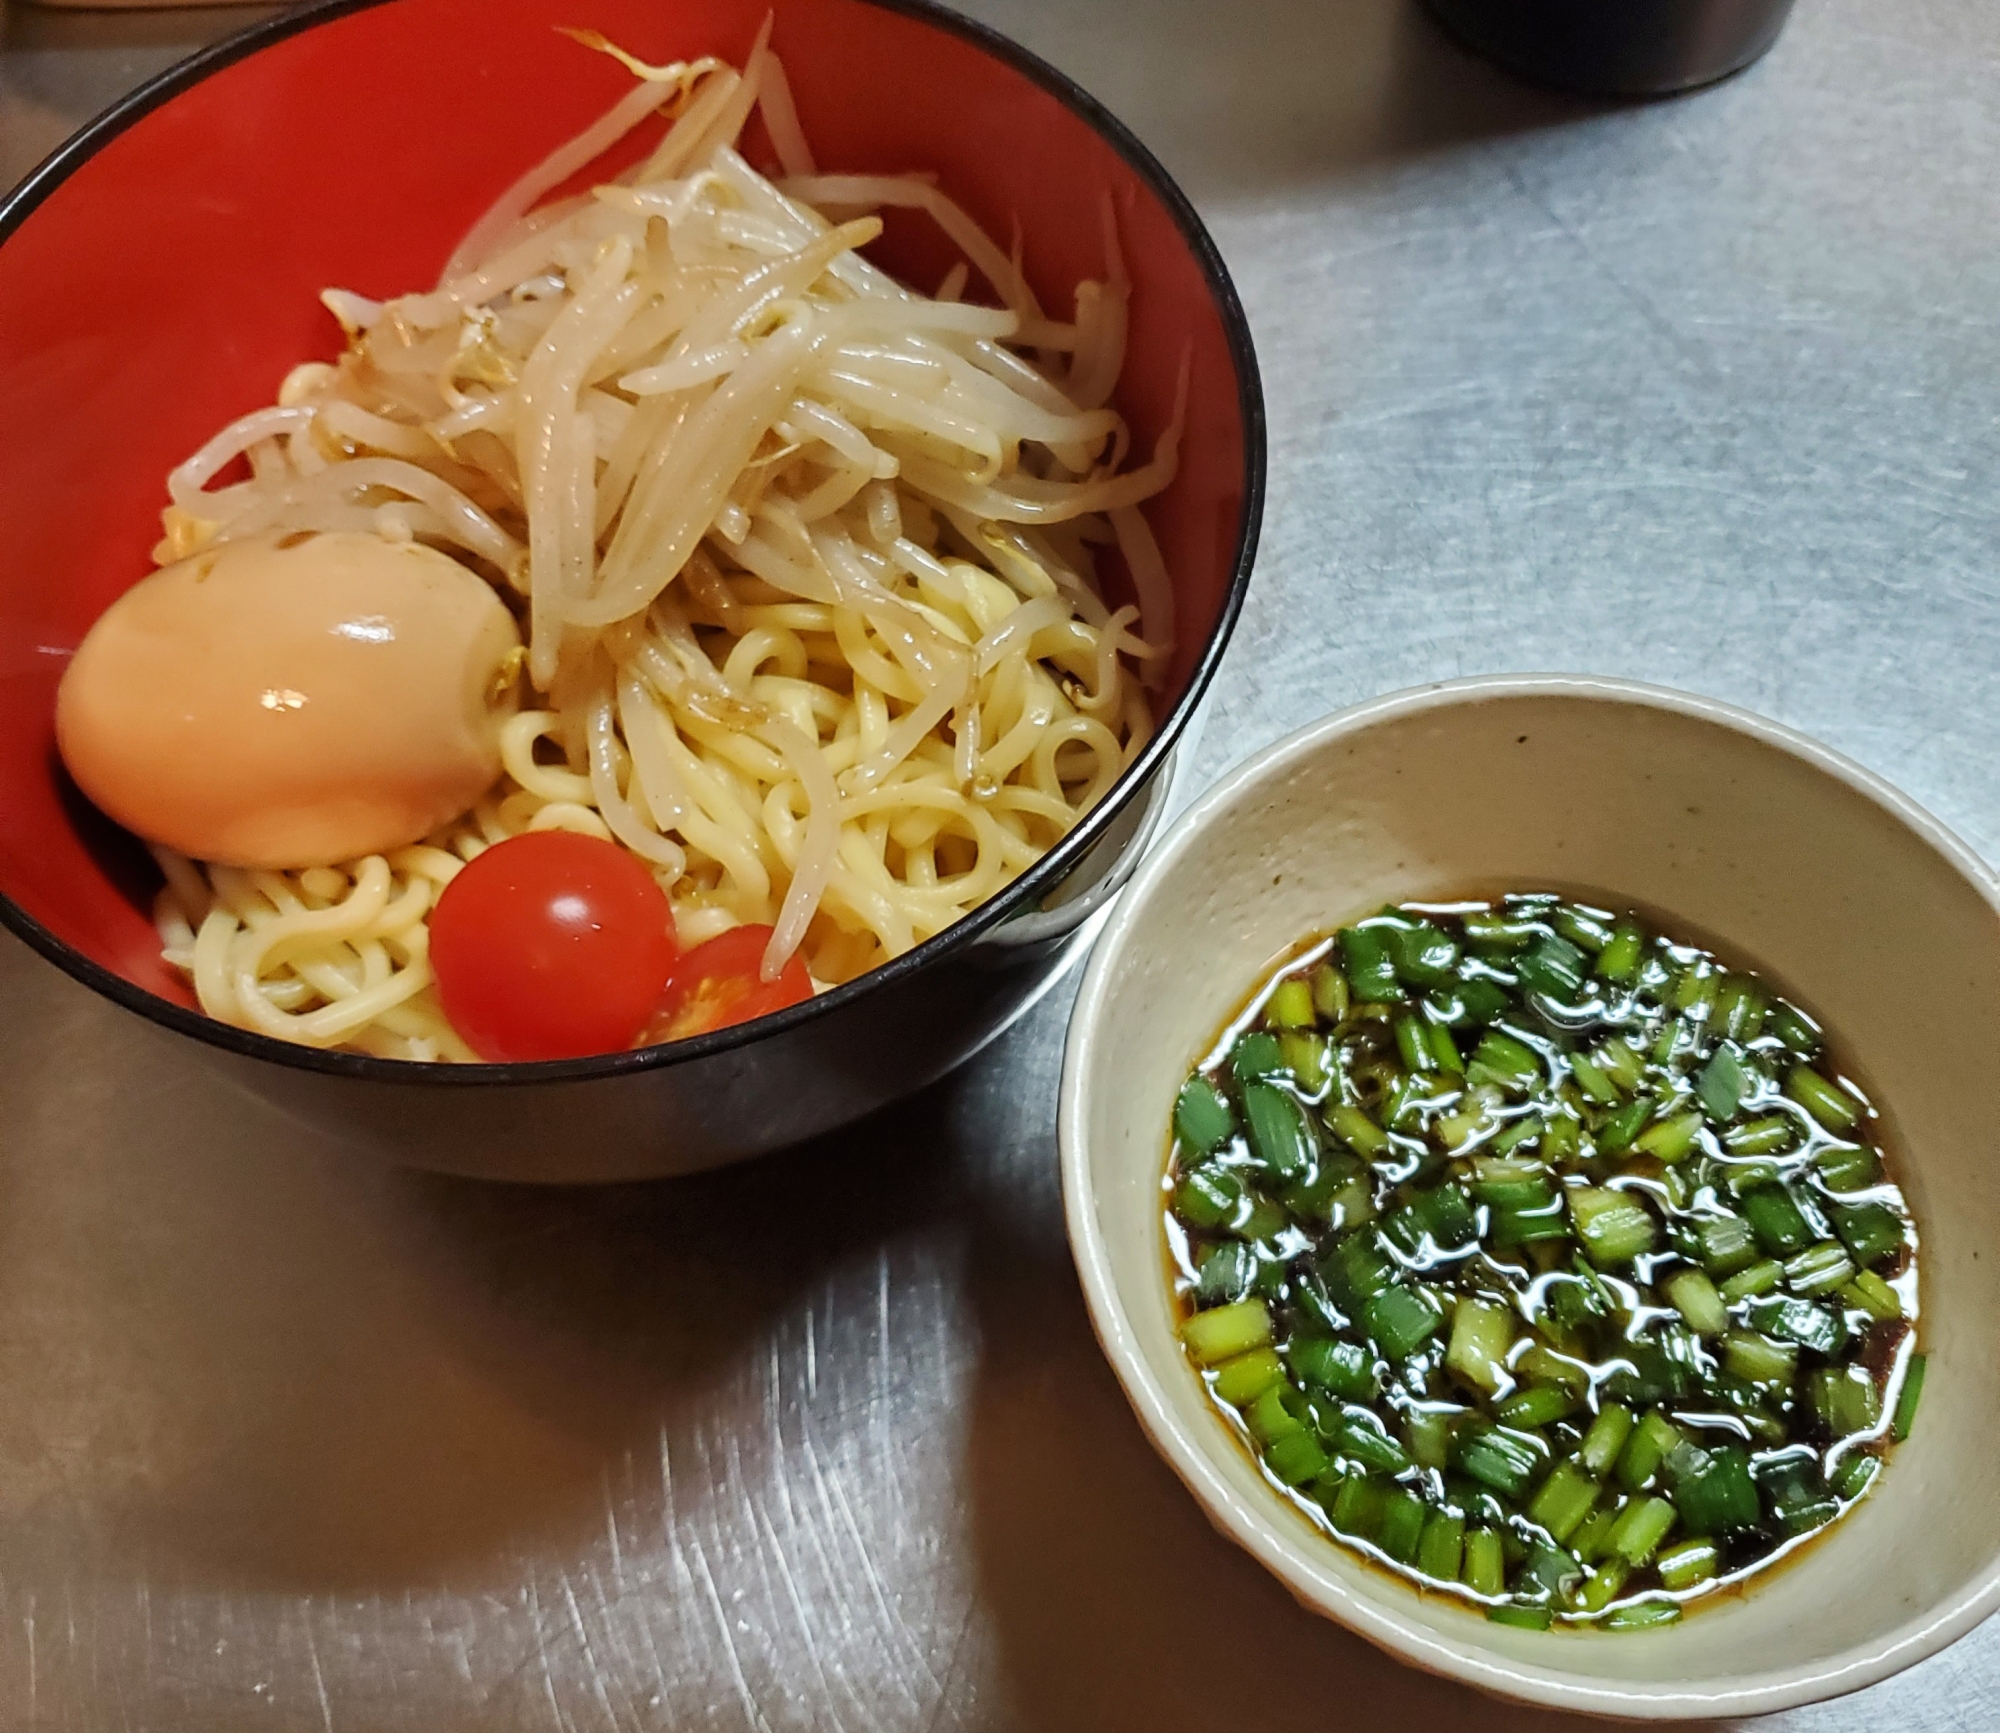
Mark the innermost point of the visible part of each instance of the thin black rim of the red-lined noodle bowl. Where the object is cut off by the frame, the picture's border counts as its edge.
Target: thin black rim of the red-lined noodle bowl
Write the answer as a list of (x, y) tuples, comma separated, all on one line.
[(1031, 888)]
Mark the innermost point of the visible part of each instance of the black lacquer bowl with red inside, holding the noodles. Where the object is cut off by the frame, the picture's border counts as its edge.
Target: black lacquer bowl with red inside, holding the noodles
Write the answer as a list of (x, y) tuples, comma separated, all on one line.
[(161, 275)]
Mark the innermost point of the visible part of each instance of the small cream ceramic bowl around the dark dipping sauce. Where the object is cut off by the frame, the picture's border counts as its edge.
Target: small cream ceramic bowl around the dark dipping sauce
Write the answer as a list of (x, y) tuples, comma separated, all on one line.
[(1779, 851)]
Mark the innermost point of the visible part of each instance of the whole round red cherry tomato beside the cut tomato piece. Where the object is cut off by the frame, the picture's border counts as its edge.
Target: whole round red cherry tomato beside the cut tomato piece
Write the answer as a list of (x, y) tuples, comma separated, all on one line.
[(551, 946)]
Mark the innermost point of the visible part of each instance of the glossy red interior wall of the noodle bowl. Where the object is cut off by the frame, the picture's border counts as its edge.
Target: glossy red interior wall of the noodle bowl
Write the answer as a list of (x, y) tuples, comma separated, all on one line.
[(173, 279)]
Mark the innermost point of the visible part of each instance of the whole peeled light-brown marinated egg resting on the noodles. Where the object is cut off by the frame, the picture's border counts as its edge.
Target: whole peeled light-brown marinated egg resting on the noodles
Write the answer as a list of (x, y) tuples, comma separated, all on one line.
[(293, 703)]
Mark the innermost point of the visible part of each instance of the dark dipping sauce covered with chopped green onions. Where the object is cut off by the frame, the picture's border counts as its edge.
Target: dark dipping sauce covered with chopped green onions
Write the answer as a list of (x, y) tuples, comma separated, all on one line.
[(1545, 1260)]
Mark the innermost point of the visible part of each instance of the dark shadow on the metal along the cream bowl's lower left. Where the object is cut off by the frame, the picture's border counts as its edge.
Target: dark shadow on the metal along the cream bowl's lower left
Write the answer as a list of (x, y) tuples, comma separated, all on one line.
[(1111, 1600)]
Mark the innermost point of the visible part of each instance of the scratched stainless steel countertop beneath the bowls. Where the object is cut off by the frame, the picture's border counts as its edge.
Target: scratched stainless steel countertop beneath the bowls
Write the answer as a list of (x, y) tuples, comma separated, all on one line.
[(1701, 393)]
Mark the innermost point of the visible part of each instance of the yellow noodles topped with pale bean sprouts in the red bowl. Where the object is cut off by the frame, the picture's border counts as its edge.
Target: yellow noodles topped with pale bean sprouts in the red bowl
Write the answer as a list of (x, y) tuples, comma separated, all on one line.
[(805, 559)]
